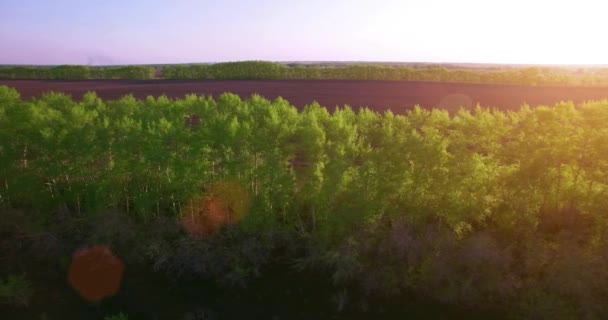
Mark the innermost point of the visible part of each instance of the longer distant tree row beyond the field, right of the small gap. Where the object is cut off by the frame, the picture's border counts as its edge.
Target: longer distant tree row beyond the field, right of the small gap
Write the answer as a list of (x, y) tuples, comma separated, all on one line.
[(263, 70)]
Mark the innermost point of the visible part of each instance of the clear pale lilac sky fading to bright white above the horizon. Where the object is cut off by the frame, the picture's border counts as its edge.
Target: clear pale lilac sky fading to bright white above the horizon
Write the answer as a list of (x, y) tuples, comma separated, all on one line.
[(179, 31)]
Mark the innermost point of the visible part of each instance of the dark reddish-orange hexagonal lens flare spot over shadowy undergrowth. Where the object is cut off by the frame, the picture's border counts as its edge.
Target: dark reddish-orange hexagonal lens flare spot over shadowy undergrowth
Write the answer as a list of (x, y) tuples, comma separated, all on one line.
[(95, 273)]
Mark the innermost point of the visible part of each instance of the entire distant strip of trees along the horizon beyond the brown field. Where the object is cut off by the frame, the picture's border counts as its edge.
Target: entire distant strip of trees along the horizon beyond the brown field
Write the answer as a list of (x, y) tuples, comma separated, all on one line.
[(263, 70)]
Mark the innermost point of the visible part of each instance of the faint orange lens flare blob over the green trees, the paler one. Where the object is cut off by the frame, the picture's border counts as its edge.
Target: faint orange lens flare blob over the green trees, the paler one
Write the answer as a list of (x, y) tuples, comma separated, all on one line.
[(224, 203)]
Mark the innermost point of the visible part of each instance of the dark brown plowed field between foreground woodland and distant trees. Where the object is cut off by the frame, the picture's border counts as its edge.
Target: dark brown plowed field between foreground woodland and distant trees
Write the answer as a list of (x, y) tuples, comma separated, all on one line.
[(379, 95)]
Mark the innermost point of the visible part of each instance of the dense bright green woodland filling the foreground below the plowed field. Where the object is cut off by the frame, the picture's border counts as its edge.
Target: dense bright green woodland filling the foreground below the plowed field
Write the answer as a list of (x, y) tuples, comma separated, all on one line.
[(483, 212)]
